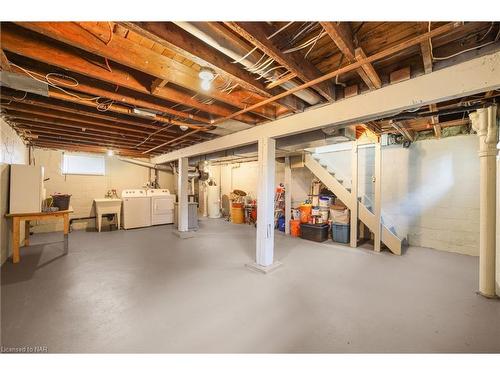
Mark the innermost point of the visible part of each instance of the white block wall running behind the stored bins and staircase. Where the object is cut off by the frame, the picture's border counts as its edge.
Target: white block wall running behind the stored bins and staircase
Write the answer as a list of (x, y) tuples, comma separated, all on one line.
[(430, 191)]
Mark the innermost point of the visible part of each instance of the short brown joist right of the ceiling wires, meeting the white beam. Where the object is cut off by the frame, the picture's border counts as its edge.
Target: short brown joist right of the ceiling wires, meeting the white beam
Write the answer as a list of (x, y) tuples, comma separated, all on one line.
[(341, 34)]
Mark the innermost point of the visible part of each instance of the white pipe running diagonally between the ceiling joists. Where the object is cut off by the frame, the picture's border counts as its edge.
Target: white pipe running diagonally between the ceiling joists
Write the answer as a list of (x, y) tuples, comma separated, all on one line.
[(204, 33)]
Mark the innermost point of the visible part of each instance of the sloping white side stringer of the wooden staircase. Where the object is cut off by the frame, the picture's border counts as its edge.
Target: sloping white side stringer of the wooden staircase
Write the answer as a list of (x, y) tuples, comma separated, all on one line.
[(366, 216)]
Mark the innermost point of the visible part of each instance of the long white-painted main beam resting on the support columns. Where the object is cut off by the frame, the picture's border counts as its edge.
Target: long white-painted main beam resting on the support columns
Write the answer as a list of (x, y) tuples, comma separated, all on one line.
[(476, 76)]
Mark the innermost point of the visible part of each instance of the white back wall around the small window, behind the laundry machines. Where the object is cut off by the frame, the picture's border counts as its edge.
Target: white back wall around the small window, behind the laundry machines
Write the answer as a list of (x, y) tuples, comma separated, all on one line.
[(83, 189)]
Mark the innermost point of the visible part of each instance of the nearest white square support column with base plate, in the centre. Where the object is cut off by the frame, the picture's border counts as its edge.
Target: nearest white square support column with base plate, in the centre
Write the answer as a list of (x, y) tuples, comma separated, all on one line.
[(265, 207)]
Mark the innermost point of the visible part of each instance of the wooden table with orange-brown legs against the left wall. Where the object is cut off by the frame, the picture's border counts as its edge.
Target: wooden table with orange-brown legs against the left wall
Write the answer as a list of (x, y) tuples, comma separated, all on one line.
[(27, 217)]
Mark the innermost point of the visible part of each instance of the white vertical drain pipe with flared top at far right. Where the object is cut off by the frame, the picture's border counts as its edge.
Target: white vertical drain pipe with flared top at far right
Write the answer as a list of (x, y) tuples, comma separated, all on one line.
[(484, 120)]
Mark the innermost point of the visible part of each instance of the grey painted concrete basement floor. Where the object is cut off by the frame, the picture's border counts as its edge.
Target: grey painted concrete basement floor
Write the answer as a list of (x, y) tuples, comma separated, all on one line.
[(146, 290)]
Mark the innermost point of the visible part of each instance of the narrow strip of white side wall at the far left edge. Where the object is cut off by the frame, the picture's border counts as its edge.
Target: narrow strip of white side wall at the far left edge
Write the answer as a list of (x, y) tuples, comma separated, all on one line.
[(12, 151)]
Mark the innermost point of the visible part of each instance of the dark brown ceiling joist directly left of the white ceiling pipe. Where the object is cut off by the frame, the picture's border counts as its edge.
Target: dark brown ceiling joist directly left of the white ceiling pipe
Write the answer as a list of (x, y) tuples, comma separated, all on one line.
[(183, 43)]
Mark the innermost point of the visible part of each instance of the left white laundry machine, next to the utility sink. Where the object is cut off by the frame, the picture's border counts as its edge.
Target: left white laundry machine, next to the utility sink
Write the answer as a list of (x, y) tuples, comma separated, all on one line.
[(136, 211)]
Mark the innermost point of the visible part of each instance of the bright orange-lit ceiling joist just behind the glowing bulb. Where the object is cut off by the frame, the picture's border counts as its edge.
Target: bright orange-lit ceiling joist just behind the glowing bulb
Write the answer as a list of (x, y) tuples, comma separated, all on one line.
[(132, 55)]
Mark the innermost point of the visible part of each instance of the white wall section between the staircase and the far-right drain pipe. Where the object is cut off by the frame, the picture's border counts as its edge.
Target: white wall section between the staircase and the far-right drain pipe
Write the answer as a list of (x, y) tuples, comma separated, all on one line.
[(431, 192)]
